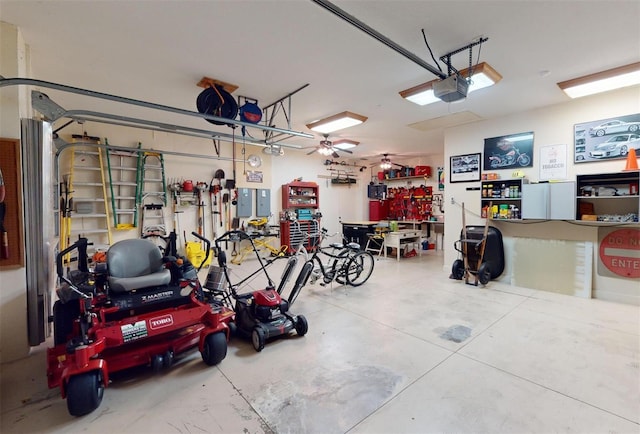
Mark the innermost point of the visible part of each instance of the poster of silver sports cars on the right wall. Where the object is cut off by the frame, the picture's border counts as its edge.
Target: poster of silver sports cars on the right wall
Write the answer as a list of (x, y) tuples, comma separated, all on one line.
[(606, 139)]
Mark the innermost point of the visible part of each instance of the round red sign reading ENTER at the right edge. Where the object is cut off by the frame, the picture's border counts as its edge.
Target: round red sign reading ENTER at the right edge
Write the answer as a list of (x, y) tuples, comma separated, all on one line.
[(620, 252)]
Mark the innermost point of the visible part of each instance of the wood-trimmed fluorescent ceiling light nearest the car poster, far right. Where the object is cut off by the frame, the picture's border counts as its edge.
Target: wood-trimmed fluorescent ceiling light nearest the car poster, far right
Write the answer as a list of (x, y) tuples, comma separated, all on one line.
[(616, 78)]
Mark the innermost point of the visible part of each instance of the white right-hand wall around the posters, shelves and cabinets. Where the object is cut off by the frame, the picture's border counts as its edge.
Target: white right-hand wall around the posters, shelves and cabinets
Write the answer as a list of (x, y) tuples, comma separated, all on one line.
[(551, 125)]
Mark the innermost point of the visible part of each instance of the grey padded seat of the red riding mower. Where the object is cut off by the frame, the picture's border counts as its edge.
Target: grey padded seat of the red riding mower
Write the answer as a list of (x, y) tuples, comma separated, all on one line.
[(136, 264)]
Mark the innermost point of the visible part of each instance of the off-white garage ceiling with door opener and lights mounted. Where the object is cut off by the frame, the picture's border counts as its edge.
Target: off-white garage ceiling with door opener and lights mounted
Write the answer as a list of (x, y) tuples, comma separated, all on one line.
[(158, 50)]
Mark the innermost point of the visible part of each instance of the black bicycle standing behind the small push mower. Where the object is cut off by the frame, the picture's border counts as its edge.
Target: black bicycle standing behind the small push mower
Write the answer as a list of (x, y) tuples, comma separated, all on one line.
[(347, 264)]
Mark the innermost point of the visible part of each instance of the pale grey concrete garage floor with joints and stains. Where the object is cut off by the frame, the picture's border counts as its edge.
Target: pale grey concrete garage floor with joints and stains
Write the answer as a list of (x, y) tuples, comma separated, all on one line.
[(409, 352)]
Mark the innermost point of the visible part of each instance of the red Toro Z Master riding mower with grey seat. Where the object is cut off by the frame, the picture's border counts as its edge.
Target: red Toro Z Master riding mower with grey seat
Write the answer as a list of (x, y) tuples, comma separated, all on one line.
[(137, 308)]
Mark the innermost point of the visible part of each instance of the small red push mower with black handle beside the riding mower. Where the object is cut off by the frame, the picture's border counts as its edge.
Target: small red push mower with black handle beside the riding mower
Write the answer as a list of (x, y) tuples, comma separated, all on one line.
[(261, 314)]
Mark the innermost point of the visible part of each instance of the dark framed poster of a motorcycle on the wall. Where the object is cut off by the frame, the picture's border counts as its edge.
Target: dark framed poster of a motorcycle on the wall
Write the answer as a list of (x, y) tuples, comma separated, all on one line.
[(507, 152)]
